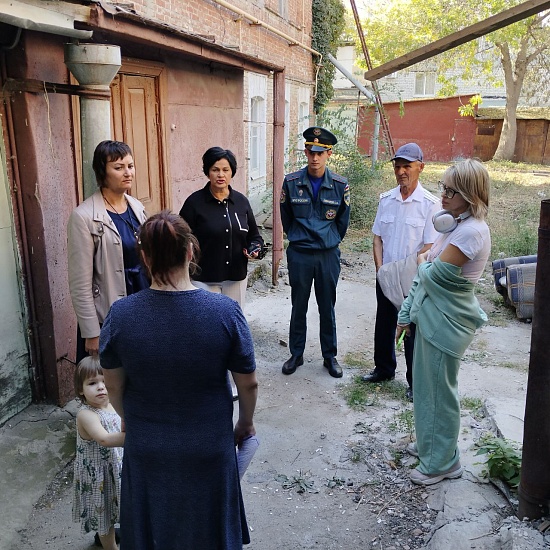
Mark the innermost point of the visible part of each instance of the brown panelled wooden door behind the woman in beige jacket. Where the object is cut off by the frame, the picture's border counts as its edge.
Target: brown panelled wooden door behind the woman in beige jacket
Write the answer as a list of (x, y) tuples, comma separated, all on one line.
[(137, 121)]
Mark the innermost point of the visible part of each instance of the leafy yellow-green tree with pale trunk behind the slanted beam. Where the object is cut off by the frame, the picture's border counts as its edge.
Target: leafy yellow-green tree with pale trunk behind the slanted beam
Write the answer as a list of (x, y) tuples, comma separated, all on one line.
[(399, 26)]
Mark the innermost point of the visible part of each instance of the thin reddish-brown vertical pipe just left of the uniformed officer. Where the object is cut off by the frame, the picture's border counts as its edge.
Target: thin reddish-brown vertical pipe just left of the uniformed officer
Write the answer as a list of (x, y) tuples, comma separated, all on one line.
[(278, 169)]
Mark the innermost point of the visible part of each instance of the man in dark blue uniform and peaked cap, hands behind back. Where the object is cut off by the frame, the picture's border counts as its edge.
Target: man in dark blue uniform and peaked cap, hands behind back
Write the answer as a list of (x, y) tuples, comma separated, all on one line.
[(315, 216)]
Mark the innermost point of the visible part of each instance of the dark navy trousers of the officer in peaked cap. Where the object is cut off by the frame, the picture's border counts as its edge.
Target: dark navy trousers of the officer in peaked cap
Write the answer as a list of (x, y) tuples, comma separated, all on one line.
[(322, 269)]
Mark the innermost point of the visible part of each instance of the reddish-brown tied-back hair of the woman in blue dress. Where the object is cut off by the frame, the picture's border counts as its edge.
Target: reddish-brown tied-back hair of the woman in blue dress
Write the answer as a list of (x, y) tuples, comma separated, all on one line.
[(165, 240)]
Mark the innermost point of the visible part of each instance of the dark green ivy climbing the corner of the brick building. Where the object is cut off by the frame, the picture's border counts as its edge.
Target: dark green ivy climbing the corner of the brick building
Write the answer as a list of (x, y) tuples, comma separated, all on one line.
[(327, 26)]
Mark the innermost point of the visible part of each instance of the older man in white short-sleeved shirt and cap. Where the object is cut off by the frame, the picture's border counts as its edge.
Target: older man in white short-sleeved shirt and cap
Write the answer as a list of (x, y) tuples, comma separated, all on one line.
[(403, 226)]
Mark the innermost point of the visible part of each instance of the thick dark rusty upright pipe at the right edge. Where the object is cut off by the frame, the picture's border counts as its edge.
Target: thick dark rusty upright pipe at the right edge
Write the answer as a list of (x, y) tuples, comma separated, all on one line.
[(534, 487)]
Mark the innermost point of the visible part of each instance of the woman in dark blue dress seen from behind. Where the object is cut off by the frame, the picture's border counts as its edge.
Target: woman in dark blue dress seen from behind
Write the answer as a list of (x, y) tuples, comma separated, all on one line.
[(166, 354)]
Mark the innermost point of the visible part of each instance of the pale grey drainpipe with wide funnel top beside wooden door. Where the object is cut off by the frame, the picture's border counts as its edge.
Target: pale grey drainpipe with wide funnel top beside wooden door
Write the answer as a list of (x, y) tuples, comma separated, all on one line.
[(94, 66)]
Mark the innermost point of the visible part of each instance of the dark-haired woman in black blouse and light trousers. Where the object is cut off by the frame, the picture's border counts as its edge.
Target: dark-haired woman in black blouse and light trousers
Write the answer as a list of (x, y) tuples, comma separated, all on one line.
[(223, 222)]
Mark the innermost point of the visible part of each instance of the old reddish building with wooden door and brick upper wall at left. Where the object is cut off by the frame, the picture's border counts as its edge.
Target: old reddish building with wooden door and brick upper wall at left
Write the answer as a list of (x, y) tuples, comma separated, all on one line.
[(194, 74)]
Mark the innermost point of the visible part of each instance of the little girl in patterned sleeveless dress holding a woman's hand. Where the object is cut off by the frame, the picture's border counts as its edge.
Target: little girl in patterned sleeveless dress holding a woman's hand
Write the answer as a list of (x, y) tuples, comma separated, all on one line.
[(98, 462)]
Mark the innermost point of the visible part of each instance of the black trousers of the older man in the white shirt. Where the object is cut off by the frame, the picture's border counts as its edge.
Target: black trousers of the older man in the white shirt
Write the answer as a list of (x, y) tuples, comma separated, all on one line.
[(384, 338)]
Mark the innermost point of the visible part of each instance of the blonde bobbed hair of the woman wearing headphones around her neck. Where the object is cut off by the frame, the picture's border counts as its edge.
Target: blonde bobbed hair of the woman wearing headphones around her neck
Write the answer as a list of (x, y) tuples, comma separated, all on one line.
[(471, 179)]
